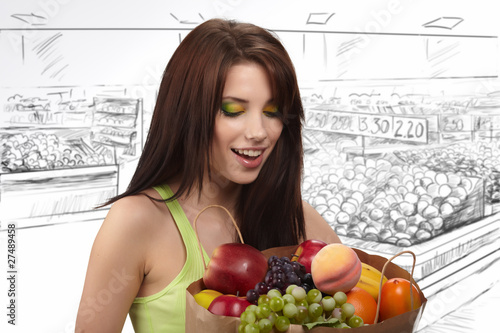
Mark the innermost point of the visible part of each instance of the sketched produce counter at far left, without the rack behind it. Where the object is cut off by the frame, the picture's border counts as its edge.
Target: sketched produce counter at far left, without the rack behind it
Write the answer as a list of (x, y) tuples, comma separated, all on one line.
[(54, 176)]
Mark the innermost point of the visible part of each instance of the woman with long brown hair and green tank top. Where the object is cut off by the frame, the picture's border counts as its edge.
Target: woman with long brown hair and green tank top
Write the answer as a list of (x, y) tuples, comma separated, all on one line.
[(226, 130)]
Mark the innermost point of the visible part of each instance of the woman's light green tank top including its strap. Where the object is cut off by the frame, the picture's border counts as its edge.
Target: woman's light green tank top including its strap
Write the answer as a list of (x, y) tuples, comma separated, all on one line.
[(165, 311)]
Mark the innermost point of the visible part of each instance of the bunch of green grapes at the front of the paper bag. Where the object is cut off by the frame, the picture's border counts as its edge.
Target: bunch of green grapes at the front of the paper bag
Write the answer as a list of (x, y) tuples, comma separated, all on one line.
[(297, 306)]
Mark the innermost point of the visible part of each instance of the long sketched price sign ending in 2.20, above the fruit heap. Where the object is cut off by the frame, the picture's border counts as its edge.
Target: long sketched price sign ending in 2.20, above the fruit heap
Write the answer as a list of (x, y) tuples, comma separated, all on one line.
[(413, 129)]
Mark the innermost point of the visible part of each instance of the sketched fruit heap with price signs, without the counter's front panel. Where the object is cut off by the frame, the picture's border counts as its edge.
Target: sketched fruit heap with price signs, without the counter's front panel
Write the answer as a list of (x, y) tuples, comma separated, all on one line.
[(401, 169)]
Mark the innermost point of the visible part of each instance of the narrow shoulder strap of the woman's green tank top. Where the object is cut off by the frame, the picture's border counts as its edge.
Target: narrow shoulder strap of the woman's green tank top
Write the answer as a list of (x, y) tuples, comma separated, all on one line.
[(185, 228)]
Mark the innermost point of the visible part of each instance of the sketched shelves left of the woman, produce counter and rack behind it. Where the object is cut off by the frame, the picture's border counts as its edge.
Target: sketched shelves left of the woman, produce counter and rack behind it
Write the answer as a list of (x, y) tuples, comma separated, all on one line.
[(60, 158)]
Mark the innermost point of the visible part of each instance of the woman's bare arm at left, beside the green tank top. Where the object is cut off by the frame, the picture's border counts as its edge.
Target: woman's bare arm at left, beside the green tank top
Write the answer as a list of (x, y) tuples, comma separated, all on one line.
[(115, 270)]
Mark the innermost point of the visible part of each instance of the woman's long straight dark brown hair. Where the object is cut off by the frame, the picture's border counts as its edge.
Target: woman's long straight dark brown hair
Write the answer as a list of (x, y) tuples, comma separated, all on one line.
[(269, 211)]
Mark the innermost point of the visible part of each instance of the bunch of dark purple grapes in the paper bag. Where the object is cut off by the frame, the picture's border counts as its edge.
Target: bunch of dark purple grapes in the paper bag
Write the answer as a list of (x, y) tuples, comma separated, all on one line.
[(281, 272)]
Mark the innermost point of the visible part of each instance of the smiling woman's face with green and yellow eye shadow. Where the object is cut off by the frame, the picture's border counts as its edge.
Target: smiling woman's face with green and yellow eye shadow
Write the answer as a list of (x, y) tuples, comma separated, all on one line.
[(247, 125)]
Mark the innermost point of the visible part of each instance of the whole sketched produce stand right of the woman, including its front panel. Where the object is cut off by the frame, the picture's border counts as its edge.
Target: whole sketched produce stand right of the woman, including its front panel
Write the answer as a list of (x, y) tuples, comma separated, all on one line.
[(385, 186)]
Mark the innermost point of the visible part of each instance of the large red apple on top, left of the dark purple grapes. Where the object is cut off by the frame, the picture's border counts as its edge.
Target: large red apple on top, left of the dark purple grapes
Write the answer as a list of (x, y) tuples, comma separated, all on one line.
[(235, 268)]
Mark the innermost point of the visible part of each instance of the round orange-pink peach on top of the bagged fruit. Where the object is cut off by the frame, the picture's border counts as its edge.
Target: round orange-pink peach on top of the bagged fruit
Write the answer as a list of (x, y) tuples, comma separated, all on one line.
[(336, 267)]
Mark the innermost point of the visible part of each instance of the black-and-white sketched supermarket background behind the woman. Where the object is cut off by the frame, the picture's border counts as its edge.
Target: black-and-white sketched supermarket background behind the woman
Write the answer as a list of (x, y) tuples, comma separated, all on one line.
[(402, 130)]
